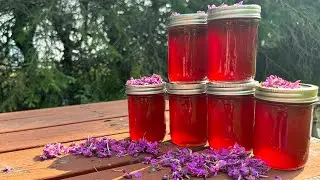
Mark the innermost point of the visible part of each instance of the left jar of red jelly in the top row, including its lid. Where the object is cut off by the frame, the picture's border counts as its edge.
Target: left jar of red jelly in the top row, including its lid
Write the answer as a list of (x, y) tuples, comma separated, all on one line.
[(187, 48)]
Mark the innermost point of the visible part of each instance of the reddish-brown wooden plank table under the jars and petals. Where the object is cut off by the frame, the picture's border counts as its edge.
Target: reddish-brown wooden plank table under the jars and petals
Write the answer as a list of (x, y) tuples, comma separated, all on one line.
[(23, 135)]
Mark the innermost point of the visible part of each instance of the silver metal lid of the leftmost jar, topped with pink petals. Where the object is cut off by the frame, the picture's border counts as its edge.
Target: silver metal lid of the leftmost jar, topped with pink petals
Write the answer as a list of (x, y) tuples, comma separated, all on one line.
[(145, 89)]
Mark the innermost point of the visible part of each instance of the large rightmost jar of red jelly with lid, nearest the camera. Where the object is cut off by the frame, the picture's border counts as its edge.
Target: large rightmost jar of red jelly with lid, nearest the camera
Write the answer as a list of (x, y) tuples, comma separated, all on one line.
[(283, 125)]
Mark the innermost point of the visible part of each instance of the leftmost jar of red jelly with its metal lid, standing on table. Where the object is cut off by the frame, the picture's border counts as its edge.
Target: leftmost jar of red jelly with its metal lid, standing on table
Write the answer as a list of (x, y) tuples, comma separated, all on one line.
[(146, 107)]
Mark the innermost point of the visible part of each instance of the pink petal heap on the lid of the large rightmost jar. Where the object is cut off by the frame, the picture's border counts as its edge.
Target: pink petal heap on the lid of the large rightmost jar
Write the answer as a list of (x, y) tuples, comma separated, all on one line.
[(277, 82)]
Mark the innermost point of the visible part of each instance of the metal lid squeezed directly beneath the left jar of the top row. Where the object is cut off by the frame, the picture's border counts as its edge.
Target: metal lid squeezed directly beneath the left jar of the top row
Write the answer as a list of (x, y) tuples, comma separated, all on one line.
[(186, 89)]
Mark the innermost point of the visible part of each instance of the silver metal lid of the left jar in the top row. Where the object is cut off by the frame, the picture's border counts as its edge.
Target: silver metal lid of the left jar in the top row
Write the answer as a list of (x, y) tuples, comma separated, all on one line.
[(187, 19)]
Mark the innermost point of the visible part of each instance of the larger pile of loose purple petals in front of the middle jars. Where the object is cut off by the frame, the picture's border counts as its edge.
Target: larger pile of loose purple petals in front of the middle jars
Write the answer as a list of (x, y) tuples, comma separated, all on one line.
[(234, 161)]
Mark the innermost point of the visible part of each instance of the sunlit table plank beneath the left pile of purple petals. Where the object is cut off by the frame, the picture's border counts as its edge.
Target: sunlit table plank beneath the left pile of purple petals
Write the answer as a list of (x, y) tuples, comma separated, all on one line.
[(27, 164)]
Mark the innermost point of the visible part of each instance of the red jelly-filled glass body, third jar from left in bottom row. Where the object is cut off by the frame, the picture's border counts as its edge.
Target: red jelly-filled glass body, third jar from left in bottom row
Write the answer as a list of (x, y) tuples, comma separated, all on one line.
[(230, 121)]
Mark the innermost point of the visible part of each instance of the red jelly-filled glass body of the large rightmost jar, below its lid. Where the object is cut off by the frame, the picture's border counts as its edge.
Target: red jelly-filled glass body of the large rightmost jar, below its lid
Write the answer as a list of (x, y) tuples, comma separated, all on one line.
[(282, 134)]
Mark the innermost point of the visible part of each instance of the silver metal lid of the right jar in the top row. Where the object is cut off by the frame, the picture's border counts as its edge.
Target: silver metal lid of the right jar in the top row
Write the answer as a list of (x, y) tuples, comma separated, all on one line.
[(235, 11)]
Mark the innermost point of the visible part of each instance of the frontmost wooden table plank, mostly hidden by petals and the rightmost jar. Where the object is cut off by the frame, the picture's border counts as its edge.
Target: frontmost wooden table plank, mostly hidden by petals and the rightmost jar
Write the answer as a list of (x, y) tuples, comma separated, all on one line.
[(311, 170)]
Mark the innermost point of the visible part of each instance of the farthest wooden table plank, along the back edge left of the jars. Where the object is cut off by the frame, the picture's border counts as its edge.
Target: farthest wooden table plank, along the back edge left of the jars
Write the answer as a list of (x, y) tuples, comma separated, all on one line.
[(36, 119)]
